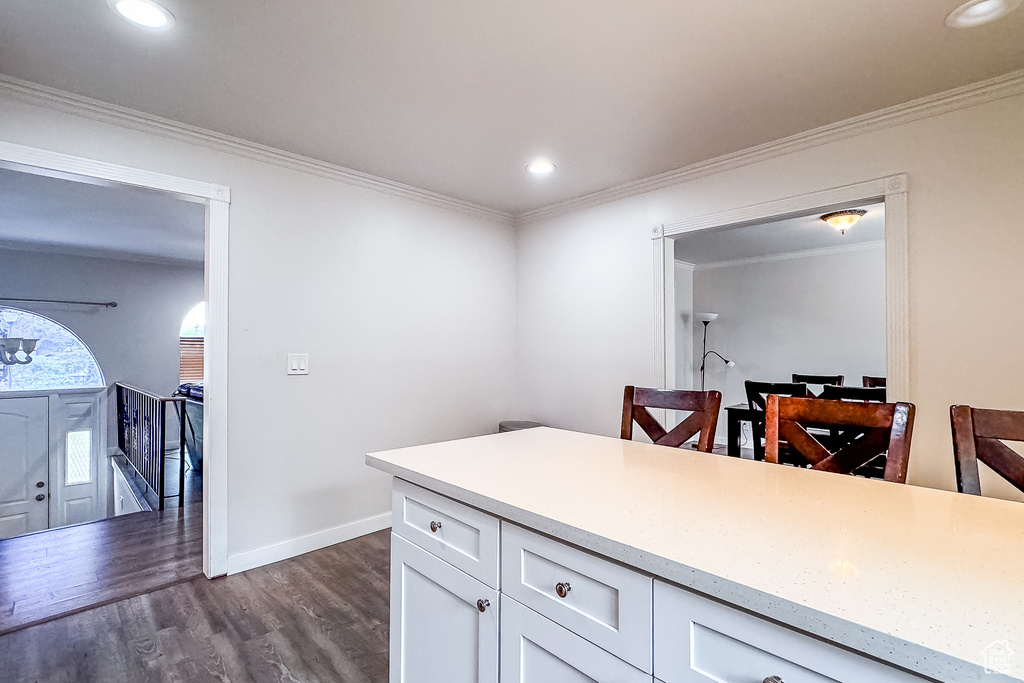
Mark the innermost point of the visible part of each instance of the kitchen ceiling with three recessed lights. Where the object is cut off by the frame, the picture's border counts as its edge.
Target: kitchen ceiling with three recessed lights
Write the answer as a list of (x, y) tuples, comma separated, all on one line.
[(456, 97)]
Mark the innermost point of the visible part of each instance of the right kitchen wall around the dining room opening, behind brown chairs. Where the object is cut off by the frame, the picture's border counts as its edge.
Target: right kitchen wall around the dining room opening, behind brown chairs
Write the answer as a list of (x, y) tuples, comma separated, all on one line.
[(586, 300)]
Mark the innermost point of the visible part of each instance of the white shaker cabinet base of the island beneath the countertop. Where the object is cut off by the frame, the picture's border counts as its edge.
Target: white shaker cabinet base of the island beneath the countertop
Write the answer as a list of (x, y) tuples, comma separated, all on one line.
[(569, 616)]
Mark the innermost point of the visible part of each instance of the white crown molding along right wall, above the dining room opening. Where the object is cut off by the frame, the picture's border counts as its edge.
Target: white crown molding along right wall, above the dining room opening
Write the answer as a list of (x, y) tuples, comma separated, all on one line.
[(973, 95)]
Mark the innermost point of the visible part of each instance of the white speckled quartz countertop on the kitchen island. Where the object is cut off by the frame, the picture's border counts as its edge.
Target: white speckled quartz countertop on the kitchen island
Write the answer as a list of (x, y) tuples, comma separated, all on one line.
[(920, 578)]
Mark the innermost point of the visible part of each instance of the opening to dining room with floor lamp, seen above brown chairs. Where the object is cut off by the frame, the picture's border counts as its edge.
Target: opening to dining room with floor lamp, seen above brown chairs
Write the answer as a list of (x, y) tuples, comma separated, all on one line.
[(784, 302)]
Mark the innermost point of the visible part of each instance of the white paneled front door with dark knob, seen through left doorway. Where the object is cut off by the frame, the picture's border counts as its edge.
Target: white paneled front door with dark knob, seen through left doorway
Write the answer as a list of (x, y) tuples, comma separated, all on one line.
[(24, 465)]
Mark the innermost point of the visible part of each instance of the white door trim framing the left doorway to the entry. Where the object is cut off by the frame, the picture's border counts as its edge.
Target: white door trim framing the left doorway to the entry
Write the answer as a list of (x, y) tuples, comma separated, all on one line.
[(218, 200)]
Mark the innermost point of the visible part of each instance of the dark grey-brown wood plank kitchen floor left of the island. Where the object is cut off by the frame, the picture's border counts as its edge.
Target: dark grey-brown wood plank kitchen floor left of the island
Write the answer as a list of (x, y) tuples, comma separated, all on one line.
[(319, 618)]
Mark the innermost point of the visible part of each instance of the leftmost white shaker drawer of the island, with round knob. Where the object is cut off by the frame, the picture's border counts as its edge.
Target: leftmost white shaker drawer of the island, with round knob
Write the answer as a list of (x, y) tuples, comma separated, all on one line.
[(459, 535)]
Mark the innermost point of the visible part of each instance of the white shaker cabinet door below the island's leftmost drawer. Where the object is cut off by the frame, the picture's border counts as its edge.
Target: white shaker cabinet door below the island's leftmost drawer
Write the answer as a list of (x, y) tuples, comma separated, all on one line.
[(439, 631)]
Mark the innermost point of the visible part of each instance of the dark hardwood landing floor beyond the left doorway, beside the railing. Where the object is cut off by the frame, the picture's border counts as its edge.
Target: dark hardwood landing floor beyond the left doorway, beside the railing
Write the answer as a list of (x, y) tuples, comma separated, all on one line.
[(68, 570)]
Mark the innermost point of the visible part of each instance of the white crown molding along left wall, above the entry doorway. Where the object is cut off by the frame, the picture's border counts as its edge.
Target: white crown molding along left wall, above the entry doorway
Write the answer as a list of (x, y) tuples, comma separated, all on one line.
[(68, 103)]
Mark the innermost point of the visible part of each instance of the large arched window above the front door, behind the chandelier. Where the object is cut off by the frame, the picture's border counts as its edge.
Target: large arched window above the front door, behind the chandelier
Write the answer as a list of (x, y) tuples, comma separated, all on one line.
[(61, 360)]
